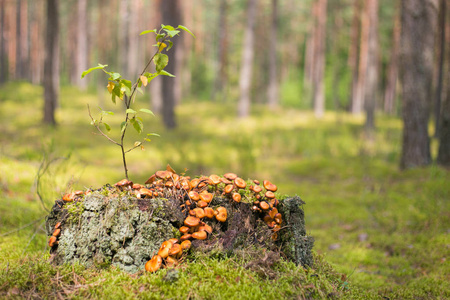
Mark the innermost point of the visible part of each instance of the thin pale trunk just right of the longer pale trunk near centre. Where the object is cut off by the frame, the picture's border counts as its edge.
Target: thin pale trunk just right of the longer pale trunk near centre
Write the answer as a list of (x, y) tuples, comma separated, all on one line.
[(272, 91)]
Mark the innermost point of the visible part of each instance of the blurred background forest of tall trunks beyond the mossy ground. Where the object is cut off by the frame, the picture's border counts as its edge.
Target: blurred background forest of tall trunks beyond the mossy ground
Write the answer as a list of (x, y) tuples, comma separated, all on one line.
[(315, 54)]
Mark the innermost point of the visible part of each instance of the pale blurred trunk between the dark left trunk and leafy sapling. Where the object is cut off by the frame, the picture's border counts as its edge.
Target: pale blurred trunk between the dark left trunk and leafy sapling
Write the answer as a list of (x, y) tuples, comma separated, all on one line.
[(81, 53)]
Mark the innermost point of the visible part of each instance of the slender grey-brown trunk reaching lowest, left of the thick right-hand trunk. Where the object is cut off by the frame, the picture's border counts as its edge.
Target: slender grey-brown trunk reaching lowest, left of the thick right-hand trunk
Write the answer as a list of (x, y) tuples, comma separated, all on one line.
[(371, 88)]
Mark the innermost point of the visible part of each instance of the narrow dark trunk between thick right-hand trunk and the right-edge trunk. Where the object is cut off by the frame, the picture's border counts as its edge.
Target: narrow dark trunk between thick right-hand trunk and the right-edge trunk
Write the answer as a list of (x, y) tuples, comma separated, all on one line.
[(440, 79)]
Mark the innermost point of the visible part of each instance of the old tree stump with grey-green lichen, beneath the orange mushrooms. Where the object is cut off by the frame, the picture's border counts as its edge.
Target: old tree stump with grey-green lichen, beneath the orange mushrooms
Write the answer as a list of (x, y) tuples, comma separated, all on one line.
[(116, 227)]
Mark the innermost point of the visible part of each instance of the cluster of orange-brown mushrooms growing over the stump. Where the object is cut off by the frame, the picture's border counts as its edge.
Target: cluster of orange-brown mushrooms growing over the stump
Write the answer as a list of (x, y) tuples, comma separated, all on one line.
[(195, 196)]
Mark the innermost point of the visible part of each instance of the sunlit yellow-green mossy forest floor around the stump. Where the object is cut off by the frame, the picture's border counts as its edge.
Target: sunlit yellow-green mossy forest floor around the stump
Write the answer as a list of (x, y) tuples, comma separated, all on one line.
[(379, 232)]
